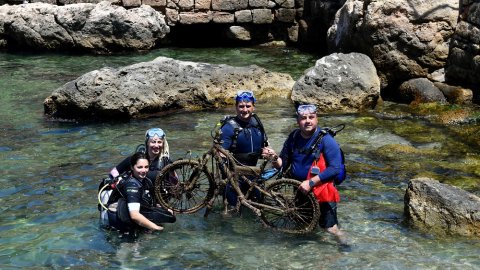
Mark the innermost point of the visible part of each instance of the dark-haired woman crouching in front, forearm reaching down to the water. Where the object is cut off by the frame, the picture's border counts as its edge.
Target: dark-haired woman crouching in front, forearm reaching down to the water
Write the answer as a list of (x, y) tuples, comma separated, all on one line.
[(130, 205)]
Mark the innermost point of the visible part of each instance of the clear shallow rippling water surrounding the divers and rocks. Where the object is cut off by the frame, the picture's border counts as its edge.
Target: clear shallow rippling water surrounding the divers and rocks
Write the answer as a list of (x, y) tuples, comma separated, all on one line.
[(50, 173)]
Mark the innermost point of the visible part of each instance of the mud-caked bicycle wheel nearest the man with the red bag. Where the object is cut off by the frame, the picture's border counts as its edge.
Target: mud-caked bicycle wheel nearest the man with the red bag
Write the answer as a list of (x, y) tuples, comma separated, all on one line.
[(291, 210)]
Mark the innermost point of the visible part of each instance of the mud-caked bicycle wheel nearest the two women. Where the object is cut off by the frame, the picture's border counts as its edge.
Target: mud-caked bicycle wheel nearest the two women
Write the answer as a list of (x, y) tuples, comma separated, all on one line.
[(184, 186)]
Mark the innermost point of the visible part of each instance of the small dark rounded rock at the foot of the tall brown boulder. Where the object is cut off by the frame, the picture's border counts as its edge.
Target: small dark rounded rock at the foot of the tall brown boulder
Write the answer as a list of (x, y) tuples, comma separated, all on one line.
[(420, 90)]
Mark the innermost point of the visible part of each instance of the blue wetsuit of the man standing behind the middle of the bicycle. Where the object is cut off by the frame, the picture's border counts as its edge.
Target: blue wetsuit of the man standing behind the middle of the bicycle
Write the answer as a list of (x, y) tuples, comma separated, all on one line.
[(246, 148)]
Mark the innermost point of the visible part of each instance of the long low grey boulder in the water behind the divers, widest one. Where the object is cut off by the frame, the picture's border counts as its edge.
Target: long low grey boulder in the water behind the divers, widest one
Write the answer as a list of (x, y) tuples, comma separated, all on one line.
[(159, 87)]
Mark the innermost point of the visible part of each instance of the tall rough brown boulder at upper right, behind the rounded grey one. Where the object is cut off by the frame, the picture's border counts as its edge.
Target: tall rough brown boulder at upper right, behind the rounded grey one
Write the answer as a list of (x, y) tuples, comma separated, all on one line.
[(405, 39)]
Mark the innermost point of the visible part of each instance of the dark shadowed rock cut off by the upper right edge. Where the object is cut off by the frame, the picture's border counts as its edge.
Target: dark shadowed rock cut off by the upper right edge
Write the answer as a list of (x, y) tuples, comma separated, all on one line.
[(463, 66)]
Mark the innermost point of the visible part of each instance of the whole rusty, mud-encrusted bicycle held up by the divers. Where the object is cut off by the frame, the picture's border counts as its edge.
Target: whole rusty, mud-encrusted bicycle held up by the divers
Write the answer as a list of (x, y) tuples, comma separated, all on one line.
[(188, 185)]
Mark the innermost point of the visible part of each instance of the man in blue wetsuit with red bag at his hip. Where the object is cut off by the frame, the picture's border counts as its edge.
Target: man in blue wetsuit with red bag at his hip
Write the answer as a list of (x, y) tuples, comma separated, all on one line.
[(296, 157)]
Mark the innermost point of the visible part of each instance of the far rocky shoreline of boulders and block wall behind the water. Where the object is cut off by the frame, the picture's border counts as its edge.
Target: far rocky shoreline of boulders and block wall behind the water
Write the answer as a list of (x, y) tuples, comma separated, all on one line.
[(427, 40)]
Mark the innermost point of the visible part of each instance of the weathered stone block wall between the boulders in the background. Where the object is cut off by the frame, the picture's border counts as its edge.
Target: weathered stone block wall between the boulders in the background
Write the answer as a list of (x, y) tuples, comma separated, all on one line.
[(239, 20)]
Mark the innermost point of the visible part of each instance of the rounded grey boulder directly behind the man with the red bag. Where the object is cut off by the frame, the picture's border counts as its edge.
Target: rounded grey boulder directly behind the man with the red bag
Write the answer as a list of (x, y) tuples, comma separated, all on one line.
[(339, 82)]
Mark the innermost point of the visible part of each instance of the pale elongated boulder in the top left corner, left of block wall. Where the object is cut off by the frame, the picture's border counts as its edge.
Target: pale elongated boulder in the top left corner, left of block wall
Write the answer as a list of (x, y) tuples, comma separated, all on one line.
[(99, 28)]
